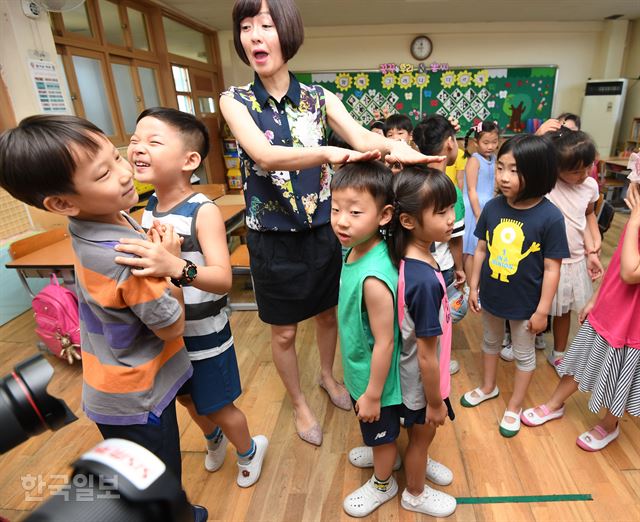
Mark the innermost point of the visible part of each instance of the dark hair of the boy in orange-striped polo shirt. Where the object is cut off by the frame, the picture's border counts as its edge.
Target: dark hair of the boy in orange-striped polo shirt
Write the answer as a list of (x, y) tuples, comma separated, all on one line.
[(38, 158)]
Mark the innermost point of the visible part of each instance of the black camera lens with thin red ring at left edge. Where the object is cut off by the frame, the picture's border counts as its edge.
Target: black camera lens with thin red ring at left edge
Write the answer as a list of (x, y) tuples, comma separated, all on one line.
[(26, 409)]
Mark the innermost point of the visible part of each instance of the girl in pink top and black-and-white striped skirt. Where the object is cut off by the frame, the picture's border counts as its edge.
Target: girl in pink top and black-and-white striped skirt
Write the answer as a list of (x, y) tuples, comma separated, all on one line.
[(604, 357)]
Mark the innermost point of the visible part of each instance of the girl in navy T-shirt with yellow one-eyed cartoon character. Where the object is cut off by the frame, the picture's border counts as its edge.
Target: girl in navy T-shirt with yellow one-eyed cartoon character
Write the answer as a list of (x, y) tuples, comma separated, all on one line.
[(524, 234)]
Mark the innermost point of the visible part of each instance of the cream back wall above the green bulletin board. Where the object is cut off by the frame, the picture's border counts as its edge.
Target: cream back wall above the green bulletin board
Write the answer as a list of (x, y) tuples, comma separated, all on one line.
[(579, 49)]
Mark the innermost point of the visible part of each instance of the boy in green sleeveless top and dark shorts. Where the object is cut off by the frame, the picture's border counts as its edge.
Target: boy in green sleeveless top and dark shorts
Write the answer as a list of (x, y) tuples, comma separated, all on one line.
[(367, 321)]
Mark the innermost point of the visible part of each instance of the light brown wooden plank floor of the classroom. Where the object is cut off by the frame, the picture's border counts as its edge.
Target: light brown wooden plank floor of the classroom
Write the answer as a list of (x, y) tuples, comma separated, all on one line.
[(301, 482)]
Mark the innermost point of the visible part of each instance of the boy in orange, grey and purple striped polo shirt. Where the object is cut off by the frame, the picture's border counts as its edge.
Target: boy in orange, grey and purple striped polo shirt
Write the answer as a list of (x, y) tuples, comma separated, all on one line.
[(133, 356)]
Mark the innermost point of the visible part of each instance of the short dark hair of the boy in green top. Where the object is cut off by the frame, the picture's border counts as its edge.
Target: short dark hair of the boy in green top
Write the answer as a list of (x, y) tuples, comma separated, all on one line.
[(373, 177)]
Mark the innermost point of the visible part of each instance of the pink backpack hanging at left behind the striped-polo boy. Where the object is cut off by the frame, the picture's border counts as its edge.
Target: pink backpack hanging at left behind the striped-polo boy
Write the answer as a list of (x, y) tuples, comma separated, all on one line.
[(55, 309)]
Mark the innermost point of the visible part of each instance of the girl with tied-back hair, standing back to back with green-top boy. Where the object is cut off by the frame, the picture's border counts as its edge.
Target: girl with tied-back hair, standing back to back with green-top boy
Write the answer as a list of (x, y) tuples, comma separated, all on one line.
[(423, 199)]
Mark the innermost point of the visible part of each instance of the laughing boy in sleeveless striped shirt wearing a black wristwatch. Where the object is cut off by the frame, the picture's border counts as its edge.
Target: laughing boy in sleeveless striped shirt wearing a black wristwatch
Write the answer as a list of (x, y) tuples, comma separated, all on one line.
[(165, 149)]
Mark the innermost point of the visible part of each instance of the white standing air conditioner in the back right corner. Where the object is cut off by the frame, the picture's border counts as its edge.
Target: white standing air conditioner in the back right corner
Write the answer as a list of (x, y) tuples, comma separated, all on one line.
[(602, 111)]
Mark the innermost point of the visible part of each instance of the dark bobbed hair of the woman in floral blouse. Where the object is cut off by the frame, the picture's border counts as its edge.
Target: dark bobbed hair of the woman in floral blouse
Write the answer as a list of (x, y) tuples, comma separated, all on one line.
[(286, 18)]
